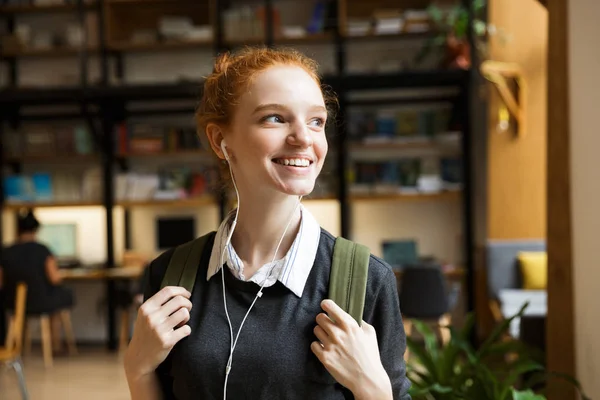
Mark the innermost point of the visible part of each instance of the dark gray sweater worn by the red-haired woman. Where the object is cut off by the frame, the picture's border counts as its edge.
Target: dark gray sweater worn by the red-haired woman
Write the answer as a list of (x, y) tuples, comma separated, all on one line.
[(272, 359)]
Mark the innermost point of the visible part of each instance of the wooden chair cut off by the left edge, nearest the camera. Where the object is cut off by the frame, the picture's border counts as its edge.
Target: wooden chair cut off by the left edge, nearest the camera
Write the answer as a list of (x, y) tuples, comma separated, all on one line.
[(10, 354)]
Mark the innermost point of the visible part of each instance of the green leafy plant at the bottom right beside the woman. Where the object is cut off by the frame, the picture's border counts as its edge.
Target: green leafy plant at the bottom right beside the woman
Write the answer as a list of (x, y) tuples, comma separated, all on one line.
[(493, 371)]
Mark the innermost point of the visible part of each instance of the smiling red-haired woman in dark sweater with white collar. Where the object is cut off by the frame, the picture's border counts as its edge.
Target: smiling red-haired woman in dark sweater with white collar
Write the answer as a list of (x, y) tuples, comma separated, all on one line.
[(266, 269)]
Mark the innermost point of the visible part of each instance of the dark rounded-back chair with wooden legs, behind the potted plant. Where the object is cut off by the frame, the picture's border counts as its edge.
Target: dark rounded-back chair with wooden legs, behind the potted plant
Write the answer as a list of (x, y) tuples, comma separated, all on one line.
[(423, 296)]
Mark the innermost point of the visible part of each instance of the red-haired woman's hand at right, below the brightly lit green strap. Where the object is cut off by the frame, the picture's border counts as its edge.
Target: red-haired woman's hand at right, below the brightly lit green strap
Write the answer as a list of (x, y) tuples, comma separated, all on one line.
[(350, 353)]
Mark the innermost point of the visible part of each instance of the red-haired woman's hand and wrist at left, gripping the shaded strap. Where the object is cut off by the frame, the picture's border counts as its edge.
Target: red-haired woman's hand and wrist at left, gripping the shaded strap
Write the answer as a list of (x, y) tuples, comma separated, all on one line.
[(158, 327)]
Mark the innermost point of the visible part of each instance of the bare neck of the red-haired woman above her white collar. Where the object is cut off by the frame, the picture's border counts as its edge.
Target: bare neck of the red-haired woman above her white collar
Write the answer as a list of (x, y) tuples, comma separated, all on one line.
[(261, 222)]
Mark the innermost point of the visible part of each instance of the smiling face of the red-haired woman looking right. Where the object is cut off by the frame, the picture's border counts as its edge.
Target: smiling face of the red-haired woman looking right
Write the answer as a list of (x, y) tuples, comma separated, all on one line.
[(276, 140)]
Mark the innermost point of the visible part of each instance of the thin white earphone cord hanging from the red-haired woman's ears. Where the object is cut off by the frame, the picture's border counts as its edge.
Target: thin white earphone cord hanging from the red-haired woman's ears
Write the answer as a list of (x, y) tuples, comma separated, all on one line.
[(233, 342)]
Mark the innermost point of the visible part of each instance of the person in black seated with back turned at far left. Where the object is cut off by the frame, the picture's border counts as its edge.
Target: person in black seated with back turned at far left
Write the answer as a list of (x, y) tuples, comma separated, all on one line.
[(32, 262)]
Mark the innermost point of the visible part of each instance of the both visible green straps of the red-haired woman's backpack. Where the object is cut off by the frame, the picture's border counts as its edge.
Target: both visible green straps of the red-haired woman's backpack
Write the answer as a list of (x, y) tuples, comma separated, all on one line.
[(347, 279)]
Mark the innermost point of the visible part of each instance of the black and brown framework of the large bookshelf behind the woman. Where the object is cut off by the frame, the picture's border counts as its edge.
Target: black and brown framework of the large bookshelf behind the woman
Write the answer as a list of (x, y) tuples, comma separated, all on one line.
[(127, 31)]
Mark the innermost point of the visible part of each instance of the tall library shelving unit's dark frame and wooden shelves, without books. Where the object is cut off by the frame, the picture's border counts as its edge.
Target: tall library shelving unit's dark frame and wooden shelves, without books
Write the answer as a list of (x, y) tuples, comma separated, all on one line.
[(124, 27)]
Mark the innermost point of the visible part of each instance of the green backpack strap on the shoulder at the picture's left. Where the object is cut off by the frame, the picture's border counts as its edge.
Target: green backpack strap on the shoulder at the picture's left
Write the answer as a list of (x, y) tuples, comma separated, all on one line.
[(183, 266)]
